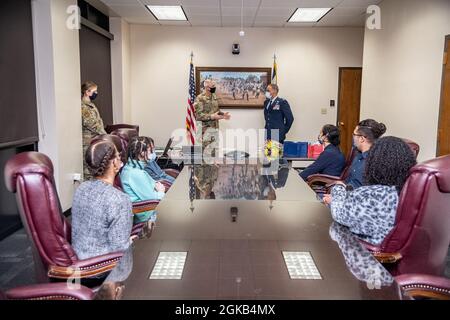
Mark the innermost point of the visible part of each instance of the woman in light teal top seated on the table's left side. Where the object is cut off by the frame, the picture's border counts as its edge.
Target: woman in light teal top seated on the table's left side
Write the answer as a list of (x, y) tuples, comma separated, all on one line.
[(136, 182)]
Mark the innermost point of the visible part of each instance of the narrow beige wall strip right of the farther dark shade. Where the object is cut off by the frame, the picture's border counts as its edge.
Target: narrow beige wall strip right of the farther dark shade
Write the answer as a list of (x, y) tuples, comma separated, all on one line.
[(120, 65)]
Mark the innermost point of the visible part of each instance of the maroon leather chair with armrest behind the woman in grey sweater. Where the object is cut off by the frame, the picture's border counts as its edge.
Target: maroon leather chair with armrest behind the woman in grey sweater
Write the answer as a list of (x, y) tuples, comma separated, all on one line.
[(30, 176)]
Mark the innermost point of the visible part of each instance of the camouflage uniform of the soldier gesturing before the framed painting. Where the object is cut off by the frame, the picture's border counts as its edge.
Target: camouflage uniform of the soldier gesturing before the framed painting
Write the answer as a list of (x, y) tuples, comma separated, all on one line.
[(204, 107)]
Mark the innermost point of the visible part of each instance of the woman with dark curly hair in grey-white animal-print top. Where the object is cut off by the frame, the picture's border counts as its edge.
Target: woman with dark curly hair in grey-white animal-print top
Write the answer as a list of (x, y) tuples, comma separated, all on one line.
[(370, 211)]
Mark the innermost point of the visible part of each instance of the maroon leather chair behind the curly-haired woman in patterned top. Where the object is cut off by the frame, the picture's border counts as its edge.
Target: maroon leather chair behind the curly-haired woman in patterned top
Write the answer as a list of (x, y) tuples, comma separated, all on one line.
[(419, 241)]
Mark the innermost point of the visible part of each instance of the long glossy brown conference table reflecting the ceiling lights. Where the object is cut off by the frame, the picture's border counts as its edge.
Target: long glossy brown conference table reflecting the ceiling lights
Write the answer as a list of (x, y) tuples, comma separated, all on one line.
[(246, 231)]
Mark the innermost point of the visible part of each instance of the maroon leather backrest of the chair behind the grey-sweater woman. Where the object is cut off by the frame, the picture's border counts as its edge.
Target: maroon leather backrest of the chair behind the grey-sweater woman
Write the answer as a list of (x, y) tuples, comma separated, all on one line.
[(30, 176)]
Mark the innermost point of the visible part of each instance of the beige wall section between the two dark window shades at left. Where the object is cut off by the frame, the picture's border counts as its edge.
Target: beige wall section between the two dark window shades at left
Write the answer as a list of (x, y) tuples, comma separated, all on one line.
[(58, 92)]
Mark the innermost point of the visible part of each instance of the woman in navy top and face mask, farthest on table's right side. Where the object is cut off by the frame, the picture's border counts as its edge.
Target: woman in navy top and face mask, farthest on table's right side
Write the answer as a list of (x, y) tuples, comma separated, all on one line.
[(331, 161)]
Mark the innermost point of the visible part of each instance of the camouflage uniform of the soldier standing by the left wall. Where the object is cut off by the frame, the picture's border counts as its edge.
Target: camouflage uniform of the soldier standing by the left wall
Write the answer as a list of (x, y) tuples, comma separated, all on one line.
[(93, 126)]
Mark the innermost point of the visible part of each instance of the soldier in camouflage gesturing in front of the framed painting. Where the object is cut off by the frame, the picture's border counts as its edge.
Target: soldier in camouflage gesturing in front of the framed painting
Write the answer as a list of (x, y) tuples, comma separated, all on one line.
[(207, 114)]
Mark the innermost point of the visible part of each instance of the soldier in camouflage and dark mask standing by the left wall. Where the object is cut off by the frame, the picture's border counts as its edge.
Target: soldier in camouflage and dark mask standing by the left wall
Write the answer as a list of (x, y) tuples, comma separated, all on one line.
[(92, 123)]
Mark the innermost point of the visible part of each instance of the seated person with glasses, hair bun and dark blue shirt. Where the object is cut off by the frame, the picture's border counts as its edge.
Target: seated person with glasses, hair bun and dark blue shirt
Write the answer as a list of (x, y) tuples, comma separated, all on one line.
[(365, 135)]
